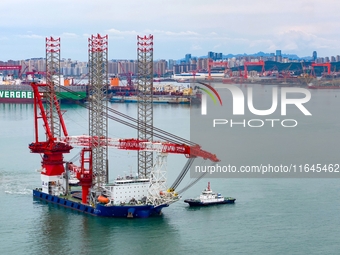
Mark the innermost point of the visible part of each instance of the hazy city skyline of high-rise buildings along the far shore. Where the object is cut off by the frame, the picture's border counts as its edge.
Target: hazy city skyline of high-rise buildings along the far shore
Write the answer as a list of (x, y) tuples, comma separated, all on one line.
[(122, 67)]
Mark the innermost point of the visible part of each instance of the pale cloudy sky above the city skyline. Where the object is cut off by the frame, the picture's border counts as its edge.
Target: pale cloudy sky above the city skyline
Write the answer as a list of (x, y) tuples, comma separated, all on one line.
[(178, 26)]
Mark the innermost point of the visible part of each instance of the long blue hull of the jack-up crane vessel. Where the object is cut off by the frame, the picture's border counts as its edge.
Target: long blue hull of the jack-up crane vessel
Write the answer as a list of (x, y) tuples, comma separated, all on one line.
[(128, 211)]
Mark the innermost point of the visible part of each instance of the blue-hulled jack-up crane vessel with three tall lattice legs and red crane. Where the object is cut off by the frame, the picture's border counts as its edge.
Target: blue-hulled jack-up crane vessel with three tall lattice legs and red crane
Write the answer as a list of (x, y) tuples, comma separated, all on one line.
[(85, 187)]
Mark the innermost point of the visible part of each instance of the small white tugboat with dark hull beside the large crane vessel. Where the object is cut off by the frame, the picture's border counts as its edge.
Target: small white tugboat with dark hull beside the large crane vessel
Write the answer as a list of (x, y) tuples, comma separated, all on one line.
[(208, 197)]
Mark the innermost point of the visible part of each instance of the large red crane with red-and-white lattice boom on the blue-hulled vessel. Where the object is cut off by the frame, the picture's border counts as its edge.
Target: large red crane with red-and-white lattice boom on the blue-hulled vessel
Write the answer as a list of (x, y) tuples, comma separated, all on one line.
[(54, 147)]
